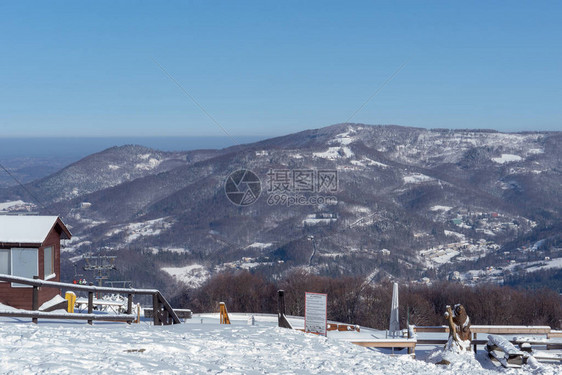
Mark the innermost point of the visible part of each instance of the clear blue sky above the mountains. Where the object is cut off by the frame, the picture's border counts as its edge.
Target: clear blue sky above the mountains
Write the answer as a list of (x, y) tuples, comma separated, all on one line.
[(276, 67)]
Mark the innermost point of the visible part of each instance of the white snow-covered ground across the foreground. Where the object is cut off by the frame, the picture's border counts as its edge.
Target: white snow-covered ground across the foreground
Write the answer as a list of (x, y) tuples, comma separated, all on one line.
[(202, 346)]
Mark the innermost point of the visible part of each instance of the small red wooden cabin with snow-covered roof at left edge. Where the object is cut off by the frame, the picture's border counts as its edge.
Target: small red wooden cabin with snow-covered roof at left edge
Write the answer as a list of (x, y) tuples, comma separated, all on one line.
[(30, 246)]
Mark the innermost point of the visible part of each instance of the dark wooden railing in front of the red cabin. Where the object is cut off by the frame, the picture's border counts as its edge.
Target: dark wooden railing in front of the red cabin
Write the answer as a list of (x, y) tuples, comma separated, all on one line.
[(163, 312)]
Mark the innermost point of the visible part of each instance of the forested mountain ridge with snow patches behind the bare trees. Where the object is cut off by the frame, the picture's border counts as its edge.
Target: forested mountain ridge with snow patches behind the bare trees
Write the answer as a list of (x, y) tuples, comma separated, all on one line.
[(411, 203)]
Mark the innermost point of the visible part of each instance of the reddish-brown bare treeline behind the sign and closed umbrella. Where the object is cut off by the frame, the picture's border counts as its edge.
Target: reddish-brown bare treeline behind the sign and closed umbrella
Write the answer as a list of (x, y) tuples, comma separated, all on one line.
[(351, 300)]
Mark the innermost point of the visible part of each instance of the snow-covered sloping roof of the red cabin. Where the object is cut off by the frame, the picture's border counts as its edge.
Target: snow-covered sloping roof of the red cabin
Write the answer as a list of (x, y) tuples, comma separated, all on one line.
[(28, 229)]
